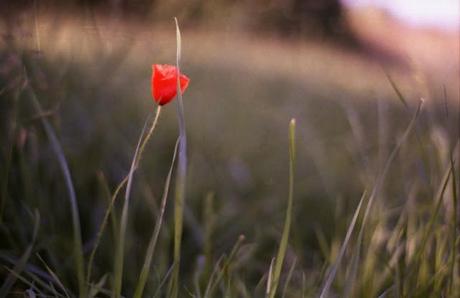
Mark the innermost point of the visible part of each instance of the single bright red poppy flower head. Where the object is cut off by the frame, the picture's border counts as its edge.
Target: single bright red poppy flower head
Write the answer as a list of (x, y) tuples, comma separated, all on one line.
[(164, 83)]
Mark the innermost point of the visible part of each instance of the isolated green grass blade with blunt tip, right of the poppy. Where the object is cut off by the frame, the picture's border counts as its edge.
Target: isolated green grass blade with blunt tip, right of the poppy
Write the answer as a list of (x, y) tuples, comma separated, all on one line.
[(287, 224)]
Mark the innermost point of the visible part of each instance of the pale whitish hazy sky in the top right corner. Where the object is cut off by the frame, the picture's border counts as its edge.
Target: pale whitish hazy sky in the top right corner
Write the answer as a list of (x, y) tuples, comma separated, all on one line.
[(439, 13)]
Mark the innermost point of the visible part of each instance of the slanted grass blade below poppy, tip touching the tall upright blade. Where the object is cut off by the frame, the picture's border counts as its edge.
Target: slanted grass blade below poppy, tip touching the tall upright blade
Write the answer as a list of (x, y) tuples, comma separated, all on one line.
[(153, 240)]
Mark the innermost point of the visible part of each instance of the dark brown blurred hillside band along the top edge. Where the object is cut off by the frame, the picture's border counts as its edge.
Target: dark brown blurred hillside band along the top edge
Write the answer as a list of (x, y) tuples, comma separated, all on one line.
[(324, 19)]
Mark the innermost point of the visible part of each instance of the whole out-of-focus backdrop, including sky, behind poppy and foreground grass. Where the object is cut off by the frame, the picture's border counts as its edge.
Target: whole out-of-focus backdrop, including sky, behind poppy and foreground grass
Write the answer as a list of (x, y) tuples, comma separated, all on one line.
[(333, 65)]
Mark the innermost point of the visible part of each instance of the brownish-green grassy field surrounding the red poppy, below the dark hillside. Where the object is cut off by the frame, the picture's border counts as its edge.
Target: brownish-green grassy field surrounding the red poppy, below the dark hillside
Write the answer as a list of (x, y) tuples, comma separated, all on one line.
[(375, 177)]
